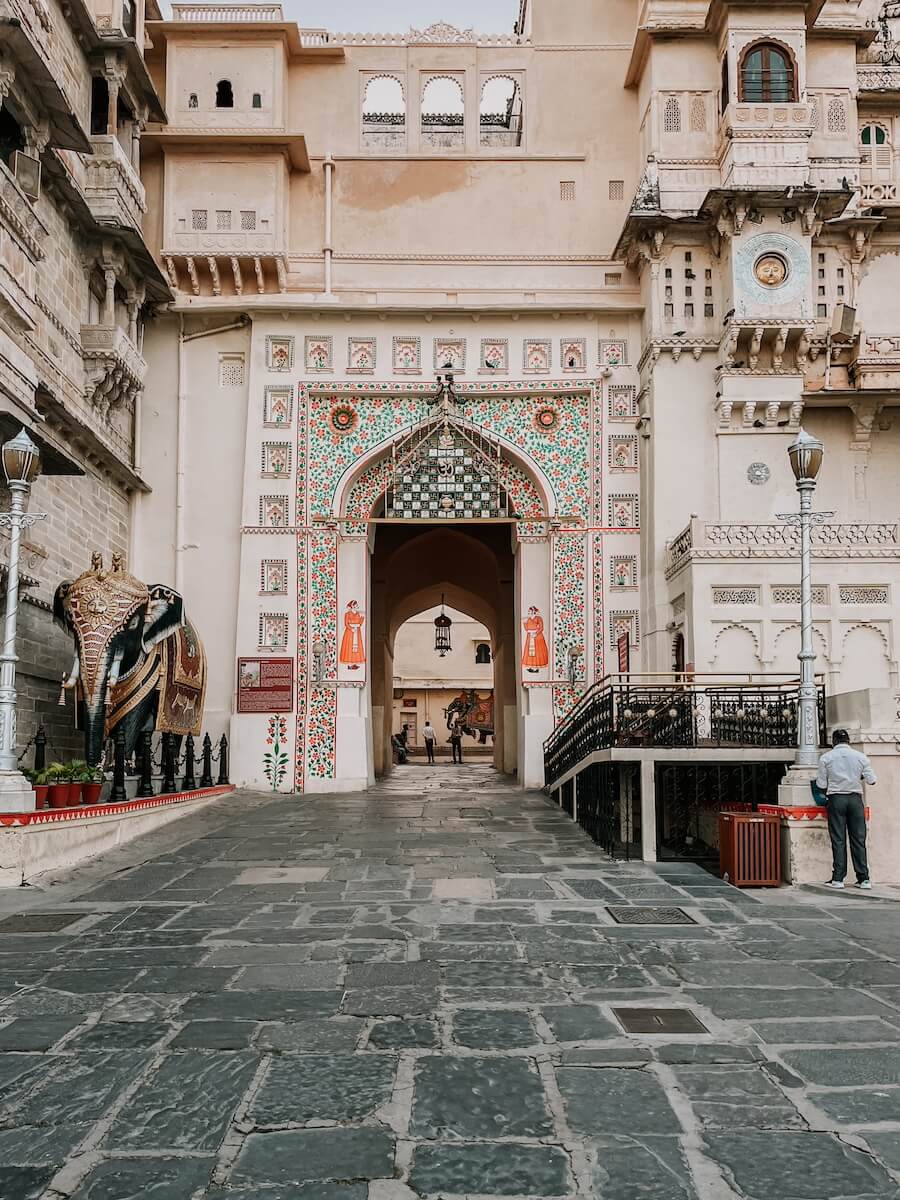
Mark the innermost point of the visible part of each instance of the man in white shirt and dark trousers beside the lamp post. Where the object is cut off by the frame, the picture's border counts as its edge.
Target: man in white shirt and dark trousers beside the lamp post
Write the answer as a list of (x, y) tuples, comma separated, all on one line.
[(842, 772)]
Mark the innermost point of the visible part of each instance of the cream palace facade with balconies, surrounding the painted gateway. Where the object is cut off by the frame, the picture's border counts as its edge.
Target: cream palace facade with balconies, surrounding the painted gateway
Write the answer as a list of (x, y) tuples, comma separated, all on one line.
[(527, 322)]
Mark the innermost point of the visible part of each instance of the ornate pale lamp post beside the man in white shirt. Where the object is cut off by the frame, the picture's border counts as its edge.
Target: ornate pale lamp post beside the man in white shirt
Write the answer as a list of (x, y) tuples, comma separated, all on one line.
[(806, 457)]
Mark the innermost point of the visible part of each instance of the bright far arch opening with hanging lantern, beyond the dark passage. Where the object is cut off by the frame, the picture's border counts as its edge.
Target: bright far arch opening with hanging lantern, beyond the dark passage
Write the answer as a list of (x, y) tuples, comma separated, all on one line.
[(435, 688)]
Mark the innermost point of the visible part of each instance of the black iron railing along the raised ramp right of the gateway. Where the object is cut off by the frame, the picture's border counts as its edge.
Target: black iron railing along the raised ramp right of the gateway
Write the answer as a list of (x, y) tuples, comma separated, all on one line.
[(679, 716)]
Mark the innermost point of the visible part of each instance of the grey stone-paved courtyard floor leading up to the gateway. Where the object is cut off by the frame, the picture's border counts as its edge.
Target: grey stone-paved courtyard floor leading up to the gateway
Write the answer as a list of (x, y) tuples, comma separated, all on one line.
[(421, 993)]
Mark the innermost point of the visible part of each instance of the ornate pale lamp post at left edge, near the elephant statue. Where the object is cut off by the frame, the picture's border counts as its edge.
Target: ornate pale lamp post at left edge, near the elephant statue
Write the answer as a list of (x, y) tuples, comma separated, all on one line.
[(22, 466)]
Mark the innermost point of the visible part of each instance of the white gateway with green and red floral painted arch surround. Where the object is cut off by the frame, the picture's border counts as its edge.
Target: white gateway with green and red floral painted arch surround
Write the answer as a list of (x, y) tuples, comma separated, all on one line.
[(495, 494)]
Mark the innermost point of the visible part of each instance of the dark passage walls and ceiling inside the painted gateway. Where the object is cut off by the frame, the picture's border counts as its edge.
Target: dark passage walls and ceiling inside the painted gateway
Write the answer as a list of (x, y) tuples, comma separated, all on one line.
[(472, 568)]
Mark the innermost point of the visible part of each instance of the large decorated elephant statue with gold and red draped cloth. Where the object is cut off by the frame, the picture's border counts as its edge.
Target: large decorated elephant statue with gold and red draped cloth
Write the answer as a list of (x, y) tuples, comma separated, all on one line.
[(139, 661)]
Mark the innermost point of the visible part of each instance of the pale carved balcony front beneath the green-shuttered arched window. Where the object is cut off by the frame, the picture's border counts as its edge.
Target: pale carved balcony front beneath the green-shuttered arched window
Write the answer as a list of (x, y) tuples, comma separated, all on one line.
[(765, 146)]
